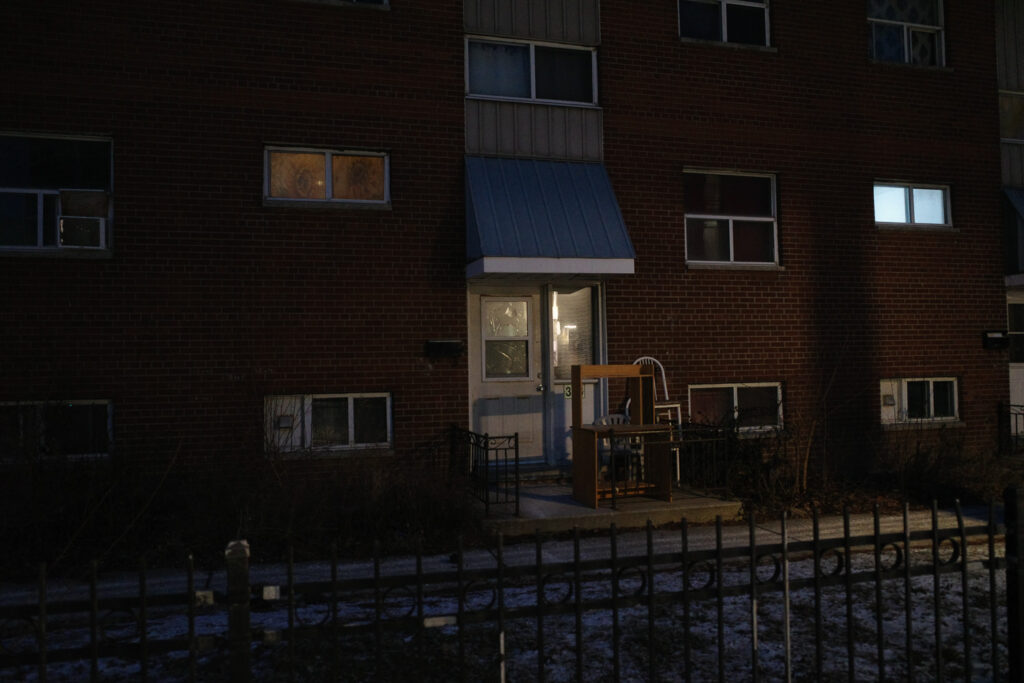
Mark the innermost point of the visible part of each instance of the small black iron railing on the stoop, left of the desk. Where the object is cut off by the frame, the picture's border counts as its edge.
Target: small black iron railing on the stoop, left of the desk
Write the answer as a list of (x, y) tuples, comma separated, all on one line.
[(492, 464)]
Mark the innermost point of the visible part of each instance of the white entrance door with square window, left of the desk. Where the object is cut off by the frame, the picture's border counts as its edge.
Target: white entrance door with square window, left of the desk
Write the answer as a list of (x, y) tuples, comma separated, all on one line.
[(505, 370)]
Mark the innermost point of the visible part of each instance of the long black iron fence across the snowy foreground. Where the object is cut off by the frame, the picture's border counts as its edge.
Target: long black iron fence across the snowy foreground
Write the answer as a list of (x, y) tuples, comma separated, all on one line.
[(900, 603)]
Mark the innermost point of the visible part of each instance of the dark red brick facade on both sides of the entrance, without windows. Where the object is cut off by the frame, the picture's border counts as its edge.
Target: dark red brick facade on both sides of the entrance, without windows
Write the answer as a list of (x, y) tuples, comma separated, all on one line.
[(210, 301)]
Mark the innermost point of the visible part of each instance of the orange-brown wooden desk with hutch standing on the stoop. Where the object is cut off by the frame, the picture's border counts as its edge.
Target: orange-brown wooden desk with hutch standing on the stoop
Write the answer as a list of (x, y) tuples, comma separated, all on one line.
[(587, 485)]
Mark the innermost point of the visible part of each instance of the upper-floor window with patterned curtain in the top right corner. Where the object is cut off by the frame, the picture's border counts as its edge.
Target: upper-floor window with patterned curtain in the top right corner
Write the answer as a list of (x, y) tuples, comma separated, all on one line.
[(907, 31)]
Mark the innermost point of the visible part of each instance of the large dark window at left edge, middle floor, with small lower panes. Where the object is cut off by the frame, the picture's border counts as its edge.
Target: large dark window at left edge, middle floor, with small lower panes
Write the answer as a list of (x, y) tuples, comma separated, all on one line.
[(55, 194)]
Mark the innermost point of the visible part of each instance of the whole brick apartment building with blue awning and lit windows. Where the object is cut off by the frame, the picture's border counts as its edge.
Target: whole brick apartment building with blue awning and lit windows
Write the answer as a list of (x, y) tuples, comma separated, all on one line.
[(328, 230)]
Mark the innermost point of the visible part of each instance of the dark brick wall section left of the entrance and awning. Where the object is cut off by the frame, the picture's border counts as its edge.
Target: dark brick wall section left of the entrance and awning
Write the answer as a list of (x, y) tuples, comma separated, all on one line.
[(212, 301)]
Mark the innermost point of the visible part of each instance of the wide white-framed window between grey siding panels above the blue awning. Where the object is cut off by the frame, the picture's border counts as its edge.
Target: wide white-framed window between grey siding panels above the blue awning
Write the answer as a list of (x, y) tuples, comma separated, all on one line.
[(530, 71)]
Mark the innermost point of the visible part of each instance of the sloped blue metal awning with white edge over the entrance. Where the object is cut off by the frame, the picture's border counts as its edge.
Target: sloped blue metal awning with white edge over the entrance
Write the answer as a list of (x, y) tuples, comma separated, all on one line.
[(536, 218)]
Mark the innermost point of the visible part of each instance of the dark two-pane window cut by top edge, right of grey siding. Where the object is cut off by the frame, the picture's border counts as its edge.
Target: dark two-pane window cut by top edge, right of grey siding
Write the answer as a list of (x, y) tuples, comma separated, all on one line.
[(744, 22)]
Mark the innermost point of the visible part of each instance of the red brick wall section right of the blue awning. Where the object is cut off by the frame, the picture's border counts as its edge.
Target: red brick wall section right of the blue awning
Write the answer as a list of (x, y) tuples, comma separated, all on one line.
[(852, 305)]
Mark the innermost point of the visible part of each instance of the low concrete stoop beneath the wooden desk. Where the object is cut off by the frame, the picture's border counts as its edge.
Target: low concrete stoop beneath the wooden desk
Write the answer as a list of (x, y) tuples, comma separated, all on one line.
[(549, 508)]
